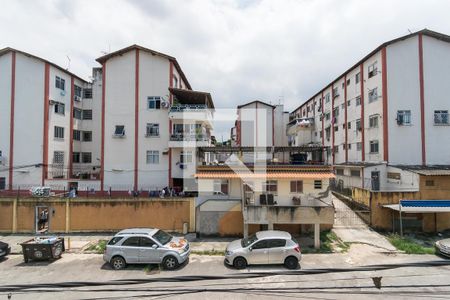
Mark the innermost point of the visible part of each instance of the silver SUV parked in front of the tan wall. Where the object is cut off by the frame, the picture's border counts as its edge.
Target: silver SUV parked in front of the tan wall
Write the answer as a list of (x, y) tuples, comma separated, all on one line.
[(144, 246)]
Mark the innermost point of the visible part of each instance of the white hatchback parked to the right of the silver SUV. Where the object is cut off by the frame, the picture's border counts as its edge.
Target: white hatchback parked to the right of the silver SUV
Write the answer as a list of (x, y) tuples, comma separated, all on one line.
[(264, 247)]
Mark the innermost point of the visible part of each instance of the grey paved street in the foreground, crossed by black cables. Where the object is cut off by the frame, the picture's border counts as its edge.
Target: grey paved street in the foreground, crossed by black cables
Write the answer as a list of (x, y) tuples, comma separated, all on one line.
[(321, 276)]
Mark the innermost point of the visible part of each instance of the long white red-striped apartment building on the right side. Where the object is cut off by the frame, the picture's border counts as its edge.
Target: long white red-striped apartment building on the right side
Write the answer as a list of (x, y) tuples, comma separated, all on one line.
[(390, 109)]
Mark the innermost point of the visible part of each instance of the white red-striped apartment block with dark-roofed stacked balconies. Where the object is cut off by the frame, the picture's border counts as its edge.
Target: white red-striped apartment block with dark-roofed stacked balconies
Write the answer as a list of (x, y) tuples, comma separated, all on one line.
[(152, 122)]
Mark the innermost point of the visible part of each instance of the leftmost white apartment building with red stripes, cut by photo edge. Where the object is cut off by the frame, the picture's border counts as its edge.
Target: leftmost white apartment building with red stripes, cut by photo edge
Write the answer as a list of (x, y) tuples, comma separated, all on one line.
[(42, 108)]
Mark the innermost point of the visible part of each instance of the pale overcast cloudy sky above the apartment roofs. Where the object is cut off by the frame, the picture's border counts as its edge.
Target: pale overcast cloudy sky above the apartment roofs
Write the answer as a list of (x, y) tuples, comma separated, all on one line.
[(274, 51)]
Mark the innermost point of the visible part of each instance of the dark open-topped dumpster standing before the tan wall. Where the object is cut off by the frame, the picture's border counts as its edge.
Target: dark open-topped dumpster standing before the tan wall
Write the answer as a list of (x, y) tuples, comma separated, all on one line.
[(43, 248)]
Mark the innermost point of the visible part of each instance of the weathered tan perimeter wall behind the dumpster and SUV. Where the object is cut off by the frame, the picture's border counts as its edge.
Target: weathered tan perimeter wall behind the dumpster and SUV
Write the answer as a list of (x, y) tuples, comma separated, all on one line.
[(89, 215)]
